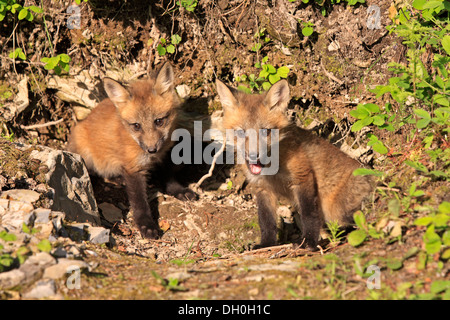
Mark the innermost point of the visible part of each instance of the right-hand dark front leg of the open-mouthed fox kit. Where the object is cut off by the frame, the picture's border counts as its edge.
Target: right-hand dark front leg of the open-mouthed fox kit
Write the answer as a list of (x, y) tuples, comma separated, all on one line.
[(308, 206)]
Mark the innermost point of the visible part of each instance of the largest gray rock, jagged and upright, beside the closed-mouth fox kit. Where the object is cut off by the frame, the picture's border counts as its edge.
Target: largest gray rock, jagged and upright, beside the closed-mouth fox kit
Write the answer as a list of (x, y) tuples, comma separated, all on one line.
[(72, 188)]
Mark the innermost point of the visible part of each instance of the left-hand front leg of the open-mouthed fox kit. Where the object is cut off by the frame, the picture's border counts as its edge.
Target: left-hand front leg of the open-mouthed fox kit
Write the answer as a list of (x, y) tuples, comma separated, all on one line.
[(266, 217)]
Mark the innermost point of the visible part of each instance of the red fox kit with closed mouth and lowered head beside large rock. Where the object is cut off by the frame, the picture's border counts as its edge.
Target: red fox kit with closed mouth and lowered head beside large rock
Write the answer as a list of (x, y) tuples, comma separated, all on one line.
[(127, 133)]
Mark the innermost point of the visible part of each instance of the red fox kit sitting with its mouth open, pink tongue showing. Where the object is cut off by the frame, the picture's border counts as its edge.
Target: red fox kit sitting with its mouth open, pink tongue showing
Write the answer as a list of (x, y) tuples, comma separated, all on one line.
[(312, 173)]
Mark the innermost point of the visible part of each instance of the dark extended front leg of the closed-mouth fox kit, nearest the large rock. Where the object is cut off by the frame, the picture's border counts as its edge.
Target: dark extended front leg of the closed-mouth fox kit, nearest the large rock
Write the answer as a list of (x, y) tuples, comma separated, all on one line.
[(136, 186)]
